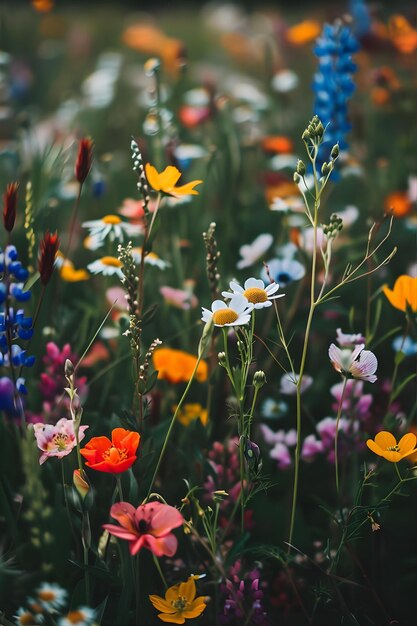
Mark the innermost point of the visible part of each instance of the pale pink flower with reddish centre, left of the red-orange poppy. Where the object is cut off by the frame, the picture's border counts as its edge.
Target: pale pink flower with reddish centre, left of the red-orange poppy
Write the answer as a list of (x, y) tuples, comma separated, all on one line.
[(56, 440)]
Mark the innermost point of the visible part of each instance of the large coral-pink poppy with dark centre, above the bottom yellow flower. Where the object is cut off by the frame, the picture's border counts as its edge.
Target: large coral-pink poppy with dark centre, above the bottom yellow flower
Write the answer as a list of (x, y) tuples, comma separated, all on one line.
[(149, 526)]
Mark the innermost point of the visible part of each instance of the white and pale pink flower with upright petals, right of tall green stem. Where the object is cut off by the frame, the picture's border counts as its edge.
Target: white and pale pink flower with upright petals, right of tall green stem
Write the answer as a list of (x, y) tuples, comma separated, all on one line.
[(358, 363)]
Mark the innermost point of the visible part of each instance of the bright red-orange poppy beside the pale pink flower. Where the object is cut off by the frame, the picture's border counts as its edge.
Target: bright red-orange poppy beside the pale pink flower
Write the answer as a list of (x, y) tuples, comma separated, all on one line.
[(115, 456)]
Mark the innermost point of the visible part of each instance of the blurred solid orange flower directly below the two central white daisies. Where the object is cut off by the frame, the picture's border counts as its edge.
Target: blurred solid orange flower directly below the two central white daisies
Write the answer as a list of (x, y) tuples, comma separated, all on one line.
[(177, 366)]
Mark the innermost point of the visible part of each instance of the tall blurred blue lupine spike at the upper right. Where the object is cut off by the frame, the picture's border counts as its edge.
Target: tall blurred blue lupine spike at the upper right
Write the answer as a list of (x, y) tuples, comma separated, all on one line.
[(333, 85)]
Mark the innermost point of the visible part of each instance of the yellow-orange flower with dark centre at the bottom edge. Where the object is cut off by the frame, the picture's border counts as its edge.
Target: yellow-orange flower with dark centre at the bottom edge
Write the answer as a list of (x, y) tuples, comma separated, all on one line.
[(180, 603)]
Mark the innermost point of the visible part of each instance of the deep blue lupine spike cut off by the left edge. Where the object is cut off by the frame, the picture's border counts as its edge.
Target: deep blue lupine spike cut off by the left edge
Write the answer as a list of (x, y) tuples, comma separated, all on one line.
[(14, 325)]
